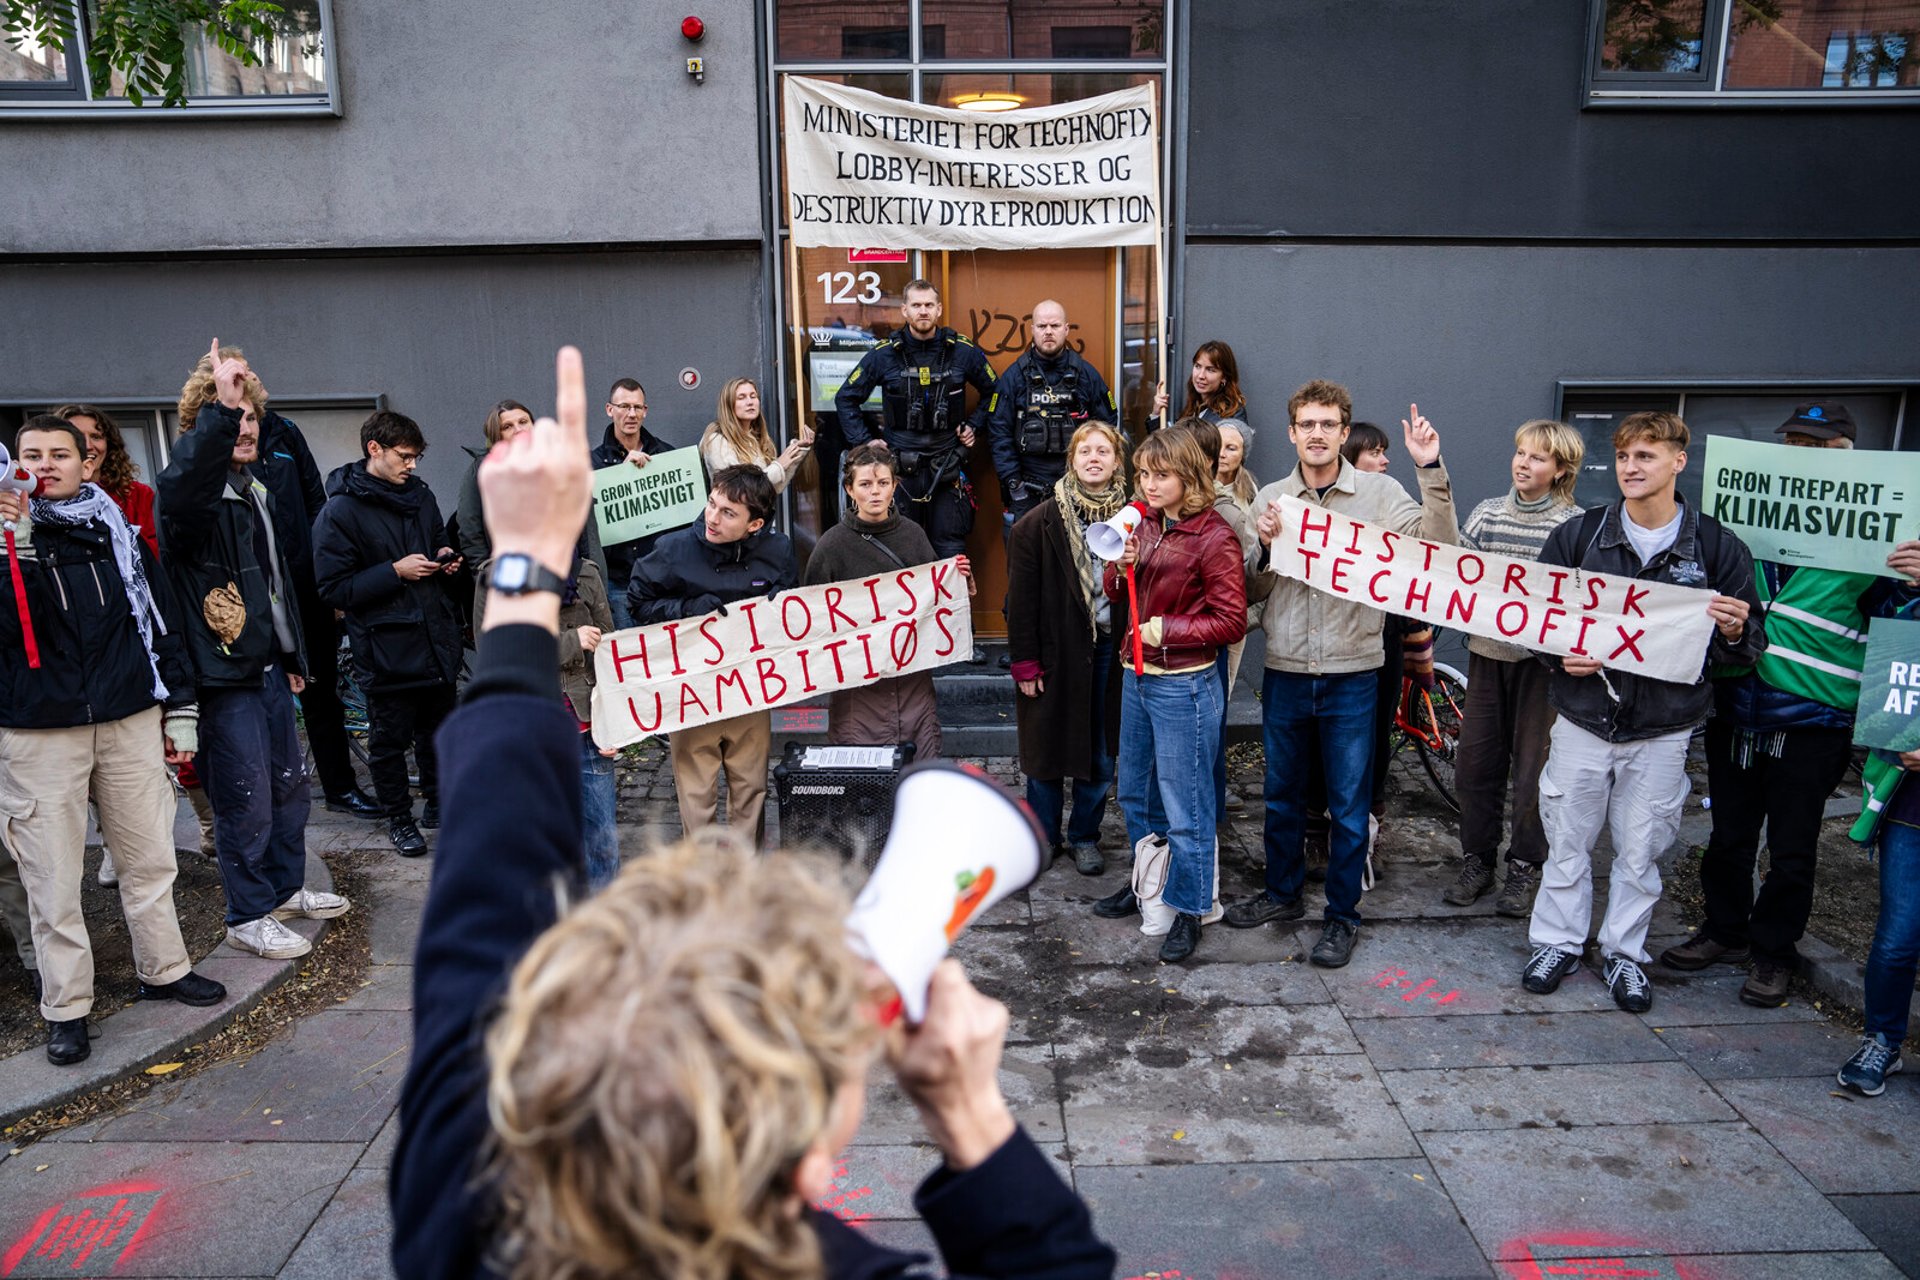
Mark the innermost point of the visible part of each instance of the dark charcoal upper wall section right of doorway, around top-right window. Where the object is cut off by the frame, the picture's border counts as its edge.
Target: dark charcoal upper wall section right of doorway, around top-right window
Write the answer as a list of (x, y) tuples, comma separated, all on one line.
[(1435, 118)]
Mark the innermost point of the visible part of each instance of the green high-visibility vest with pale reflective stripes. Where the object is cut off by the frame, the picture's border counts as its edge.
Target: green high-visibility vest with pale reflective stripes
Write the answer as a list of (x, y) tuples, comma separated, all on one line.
[(1815, 636)]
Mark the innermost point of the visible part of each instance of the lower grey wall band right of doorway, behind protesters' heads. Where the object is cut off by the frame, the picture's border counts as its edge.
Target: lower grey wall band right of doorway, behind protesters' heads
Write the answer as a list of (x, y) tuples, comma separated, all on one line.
[(1481, 335)]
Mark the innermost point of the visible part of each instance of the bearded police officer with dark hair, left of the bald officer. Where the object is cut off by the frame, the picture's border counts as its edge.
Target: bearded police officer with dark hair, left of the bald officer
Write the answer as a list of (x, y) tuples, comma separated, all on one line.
[(923, 375)]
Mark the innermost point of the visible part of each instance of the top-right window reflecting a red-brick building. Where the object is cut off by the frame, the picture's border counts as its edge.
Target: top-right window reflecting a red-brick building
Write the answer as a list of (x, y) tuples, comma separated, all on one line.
[(1756, 51)]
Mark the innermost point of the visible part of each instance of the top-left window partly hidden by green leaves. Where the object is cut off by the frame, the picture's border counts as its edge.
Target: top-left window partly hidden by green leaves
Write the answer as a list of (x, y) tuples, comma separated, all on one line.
[(293, 72)]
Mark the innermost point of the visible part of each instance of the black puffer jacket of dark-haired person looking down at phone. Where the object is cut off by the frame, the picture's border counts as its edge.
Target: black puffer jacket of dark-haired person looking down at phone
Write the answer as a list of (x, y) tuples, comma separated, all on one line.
[(404, 634)]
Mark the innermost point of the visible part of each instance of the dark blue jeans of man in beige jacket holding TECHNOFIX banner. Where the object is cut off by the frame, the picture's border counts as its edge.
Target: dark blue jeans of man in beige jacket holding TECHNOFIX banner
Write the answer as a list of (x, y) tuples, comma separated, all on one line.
[(1333, 717)]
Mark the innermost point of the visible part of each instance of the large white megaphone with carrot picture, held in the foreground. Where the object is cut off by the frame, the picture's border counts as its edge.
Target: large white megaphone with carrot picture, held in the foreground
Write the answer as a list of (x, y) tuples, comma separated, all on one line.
[(957, 847)]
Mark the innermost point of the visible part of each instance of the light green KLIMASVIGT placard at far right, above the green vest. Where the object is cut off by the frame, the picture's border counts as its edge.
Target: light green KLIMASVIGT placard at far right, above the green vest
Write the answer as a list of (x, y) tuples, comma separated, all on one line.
[(1827, 508)]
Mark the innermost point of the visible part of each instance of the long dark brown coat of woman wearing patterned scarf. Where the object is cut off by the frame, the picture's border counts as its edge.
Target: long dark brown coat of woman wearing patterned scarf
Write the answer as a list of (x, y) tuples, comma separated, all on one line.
[(1047, 625)]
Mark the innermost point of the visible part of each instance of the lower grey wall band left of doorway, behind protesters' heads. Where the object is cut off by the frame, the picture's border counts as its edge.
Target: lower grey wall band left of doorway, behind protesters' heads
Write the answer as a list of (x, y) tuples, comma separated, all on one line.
[(444, 337)]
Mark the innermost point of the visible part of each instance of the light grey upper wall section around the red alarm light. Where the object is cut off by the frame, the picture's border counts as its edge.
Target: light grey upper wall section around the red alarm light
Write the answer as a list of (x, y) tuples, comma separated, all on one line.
[(485, 122)]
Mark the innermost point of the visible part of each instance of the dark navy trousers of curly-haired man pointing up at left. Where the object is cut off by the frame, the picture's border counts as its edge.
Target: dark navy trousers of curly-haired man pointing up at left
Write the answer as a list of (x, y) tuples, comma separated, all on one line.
[(256, 780)]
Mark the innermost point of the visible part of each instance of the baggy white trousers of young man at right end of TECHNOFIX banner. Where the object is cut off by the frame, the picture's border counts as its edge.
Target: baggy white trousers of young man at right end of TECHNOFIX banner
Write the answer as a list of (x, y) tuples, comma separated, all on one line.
[(1637, 792)]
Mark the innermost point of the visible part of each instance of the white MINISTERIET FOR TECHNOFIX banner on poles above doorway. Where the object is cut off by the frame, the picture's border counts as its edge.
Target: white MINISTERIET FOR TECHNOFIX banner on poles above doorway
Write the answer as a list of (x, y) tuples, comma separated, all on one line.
[(871, 170)]
